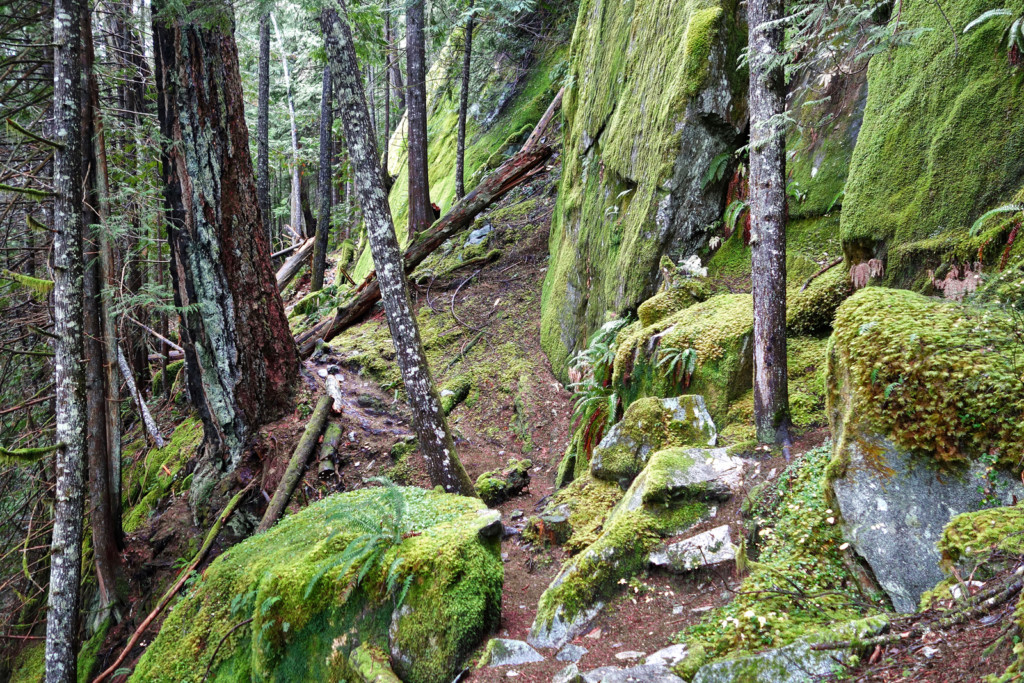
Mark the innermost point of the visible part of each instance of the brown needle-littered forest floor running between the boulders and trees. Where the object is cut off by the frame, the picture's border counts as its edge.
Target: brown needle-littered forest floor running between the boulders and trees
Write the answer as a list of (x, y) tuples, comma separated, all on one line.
[(485, 331)]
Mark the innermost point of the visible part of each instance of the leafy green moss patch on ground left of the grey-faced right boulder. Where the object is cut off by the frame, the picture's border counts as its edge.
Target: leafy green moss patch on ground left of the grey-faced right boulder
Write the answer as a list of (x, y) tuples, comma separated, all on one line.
[(797, 547)]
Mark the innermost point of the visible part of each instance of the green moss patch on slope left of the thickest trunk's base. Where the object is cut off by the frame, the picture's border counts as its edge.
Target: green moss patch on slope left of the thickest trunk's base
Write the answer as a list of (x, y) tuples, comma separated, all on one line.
[(149, 480)]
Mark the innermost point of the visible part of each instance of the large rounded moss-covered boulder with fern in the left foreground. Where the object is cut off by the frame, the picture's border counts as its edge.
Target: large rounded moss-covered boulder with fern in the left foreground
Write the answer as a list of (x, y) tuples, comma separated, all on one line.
[(311, 616)]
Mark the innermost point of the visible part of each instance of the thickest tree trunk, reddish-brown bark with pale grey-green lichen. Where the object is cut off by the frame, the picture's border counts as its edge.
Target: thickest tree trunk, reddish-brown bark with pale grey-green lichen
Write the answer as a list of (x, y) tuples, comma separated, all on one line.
[(240, 356)]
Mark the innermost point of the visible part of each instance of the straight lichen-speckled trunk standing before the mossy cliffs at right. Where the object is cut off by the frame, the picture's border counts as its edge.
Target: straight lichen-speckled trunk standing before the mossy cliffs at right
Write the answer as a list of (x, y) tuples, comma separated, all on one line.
[(772, 404)]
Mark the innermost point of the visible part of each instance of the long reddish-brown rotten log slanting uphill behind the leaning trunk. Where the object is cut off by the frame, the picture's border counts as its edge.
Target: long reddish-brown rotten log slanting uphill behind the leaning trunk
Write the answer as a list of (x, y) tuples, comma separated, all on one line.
[(514, 173)]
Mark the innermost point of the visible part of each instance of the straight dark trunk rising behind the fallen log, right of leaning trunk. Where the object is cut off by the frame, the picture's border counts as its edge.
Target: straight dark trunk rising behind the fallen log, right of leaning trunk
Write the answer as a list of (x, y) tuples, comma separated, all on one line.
[(420, 214)]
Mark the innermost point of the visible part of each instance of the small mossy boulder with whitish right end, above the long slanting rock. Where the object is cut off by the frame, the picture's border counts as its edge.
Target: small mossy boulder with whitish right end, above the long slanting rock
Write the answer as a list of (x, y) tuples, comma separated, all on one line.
[(650, 425)]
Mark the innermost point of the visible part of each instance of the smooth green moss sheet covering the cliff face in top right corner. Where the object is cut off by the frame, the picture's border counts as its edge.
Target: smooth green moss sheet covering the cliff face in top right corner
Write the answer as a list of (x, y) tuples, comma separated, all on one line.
[(941, 144)]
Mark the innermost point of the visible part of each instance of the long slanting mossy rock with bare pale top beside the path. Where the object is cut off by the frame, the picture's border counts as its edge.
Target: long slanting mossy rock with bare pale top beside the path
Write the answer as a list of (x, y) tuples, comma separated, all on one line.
[(673, 493)]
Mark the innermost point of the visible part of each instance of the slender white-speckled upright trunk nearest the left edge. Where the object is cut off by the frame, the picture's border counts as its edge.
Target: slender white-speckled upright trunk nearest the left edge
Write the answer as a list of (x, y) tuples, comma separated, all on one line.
[(66, 547)]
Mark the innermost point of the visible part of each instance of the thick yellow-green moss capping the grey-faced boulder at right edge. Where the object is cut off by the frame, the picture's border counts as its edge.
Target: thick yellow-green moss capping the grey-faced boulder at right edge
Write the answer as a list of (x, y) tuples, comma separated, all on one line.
[(928, 373)]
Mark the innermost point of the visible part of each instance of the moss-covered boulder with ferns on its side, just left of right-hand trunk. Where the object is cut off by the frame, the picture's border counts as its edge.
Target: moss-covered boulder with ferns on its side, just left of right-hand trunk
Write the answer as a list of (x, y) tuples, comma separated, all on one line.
[(655, 361)]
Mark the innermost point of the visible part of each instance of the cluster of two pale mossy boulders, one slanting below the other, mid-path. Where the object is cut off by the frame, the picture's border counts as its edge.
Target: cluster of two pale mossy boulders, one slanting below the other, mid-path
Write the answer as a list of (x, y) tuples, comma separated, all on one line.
[(669, 489)]
